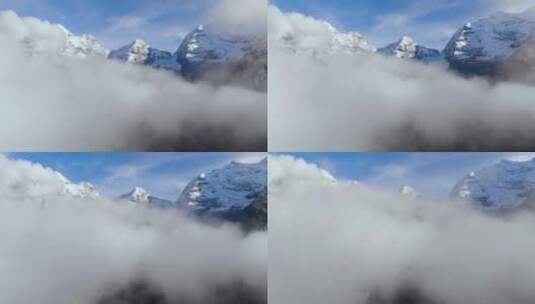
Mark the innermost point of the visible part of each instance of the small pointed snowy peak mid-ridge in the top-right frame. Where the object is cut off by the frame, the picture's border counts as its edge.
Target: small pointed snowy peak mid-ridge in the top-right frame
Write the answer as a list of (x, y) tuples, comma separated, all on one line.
[(406, 48)]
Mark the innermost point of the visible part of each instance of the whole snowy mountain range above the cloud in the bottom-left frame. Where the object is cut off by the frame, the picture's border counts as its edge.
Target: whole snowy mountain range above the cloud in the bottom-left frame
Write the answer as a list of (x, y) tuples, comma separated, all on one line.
[(234, 193)]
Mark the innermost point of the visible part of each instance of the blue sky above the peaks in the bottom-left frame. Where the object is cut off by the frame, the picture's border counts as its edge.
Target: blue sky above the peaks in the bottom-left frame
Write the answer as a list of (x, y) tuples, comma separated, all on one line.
[(161, 174)]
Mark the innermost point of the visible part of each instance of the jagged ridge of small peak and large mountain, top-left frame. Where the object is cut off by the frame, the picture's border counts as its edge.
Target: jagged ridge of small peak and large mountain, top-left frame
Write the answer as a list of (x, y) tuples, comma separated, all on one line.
[(208, 55)]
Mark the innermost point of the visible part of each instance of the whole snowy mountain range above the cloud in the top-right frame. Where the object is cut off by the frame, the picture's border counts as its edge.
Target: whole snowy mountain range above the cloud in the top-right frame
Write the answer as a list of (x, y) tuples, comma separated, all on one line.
[(482, 47)]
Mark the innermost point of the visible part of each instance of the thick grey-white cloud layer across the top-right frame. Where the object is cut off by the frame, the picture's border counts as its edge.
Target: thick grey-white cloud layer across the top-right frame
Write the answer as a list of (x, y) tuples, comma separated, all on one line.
[(341, 102)]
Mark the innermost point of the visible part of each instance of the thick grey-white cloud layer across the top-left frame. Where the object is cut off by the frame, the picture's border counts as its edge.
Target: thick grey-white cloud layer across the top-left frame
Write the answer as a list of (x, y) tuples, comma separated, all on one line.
[(54, 102)]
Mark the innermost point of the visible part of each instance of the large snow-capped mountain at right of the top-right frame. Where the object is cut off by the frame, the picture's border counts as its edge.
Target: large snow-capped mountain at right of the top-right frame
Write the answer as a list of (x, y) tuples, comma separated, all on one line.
[(478, 47)]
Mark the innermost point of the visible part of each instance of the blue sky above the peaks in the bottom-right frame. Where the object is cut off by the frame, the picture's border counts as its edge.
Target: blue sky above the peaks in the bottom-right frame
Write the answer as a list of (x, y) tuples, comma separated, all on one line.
[(432, 174)]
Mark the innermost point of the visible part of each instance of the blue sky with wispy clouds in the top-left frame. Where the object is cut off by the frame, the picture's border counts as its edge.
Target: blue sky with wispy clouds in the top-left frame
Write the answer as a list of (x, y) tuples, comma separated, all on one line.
[(162, 23)]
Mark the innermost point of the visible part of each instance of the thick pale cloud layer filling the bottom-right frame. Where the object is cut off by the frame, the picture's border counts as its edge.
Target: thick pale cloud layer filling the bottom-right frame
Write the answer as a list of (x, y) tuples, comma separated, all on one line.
[(343, 243)]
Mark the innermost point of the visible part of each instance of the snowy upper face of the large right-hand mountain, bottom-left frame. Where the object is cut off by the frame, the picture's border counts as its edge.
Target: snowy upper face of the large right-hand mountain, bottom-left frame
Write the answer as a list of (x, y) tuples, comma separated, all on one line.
[(231, 188)]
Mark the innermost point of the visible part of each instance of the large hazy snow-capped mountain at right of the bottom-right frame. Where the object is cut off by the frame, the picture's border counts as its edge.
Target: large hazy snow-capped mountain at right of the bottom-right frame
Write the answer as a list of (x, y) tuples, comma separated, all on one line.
[(504, 186)]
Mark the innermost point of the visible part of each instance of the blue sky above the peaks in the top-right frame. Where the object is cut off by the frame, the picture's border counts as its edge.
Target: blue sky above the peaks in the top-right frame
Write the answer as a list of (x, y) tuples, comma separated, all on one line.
[(429, 22)]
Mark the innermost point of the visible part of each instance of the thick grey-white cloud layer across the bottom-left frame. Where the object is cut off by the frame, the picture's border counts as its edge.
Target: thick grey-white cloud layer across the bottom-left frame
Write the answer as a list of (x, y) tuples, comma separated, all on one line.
[(59, 249)]
